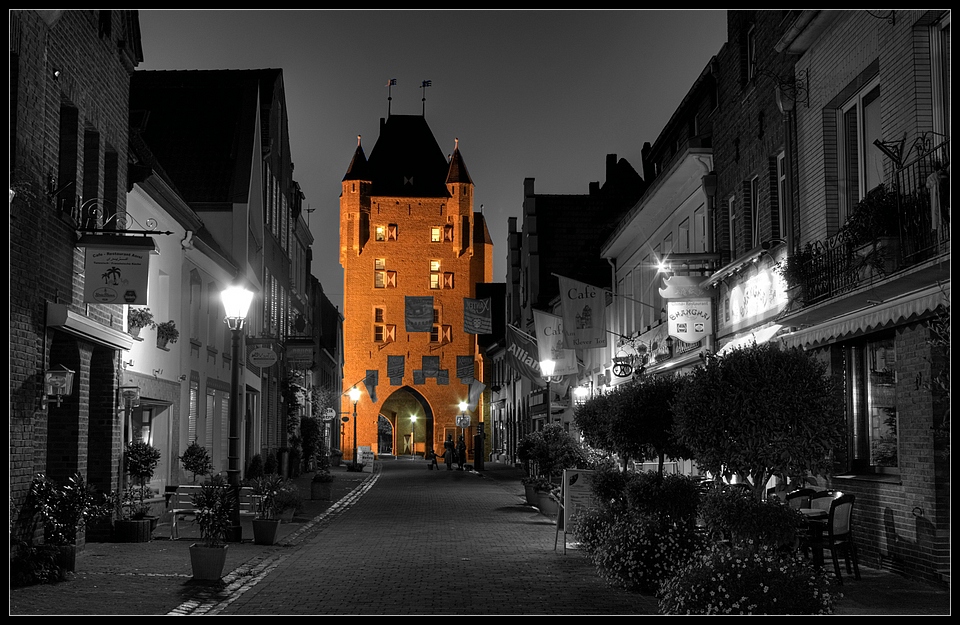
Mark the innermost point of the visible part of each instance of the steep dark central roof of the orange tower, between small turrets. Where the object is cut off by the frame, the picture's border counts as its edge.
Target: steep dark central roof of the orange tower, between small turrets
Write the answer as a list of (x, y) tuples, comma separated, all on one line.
[(406, 160)]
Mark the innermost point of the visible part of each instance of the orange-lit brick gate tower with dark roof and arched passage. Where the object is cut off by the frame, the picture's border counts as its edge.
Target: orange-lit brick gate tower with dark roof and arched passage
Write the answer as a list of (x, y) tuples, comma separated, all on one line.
[(412, 248)]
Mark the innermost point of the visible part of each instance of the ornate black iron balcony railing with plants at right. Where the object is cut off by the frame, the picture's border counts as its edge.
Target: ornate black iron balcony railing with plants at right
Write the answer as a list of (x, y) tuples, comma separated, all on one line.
[(830, 267)]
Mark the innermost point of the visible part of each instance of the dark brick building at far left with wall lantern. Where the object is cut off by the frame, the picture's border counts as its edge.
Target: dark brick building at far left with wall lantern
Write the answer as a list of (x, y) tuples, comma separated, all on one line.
[(69, 88)]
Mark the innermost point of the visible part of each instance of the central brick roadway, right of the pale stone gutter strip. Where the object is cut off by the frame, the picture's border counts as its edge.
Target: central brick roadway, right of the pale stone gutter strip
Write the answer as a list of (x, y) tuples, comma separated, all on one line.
[(435, 542)]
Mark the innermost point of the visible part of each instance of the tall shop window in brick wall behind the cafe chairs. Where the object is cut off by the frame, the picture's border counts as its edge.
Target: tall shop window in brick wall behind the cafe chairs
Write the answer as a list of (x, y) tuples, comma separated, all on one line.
[(871, 371)]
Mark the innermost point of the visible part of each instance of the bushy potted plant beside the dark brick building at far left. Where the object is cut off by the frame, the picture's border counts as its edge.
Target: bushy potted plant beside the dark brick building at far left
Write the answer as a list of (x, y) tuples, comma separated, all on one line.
[(64, 511)]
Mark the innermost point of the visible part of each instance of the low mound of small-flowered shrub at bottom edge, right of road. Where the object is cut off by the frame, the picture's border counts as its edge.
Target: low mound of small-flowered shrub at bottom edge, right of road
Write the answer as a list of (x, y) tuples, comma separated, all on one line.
[(747, 580)]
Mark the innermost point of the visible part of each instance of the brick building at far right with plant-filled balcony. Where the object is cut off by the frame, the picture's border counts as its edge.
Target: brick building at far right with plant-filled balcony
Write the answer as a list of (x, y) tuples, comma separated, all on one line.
[(873, 249)]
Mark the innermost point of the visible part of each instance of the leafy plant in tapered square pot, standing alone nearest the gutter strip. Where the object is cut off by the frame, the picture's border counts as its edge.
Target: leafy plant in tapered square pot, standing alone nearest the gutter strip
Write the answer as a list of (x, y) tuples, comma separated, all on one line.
[(214, 504)]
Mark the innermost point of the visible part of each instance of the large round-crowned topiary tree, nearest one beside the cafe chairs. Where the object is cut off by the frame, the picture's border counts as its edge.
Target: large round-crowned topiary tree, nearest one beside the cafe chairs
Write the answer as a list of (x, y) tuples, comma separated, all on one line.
[(761, 411)]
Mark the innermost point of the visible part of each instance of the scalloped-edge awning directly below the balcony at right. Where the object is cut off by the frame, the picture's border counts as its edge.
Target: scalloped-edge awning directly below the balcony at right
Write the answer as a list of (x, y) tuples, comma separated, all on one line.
[(869, 319)]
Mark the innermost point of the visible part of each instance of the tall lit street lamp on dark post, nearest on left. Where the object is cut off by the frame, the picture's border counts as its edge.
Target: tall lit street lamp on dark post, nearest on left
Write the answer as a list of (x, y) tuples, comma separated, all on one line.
[(236, 303)]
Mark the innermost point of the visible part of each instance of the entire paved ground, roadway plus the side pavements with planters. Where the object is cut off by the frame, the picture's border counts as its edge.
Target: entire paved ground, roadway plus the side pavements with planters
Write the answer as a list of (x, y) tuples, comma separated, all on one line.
[(403, 540)]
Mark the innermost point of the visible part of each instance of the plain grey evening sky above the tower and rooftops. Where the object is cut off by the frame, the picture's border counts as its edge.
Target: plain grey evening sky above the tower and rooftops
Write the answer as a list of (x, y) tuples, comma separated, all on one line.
[(542, 94)]
